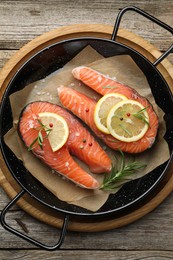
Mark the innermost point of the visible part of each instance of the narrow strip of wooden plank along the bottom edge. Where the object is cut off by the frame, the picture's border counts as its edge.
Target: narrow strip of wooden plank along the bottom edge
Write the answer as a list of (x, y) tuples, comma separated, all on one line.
[(83, 254)]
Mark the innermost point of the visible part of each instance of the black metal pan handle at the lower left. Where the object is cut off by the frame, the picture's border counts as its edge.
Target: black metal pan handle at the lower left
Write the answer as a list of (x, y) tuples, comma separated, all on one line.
[(25, 237)]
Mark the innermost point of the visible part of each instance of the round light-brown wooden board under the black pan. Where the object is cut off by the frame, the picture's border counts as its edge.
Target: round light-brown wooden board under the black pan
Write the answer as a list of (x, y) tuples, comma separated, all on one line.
[(7, 182)]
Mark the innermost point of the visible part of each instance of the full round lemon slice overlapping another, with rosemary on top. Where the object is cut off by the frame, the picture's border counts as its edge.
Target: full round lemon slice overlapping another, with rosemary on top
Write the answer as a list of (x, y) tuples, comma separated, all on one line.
[(128, 121)]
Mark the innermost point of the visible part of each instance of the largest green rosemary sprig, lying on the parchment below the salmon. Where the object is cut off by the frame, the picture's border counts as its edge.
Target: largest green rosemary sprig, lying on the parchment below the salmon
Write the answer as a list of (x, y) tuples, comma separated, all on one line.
[(119, 173)]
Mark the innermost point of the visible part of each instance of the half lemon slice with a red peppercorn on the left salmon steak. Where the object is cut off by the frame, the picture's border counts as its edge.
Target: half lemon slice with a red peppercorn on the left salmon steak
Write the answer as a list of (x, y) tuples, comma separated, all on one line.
[(58, 129)]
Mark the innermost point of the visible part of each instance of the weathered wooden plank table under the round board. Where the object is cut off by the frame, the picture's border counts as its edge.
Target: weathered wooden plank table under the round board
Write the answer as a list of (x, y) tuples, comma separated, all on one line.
[(150, 237)]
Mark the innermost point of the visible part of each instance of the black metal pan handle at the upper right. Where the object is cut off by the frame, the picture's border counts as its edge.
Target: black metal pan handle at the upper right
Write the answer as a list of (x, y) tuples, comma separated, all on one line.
[(151, 18)]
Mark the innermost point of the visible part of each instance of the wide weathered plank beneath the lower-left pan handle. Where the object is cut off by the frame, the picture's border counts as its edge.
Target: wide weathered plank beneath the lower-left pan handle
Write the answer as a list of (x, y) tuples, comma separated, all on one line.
[(148, 233)]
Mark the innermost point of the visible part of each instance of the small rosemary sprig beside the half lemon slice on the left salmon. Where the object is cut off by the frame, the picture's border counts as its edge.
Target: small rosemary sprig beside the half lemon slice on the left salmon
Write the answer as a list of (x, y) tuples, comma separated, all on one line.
[(39, 139)]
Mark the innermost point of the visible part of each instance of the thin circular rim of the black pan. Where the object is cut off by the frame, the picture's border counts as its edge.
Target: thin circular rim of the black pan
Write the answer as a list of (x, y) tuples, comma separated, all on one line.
[(5, 96)]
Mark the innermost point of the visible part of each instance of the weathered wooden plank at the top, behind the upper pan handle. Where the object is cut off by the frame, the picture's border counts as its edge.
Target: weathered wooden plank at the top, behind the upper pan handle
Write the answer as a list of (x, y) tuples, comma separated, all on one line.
[(37, 17)]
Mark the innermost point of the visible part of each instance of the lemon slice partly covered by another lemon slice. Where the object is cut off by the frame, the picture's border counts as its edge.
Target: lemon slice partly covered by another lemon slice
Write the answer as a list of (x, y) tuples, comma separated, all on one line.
[(103, 107)]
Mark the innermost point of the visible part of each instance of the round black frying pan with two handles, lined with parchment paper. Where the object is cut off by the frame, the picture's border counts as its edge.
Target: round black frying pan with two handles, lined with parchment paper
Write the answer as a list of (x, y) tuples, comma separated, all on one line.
[(52, 58)]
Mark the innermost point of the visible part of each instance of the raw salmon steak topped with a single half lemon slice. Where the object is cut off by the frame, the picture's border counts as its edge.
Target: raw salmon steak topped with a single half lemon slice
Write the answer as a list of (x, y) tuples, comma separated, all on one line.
[(79, 143)]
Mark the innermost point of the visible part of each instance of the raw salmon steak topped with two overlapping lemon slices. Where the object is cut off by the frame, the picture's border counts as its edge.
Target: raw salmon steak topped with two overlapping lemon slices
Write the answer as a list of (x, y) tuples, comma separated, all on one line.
[(83, 107)]
